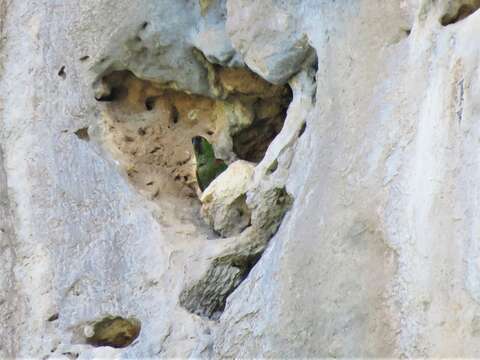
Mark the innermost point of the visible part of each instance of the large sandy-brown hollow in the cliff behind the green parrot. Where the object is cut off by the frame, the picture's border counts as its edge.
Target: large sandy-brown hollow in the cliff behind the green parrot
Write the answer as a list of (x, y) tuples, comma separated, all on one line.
[(151, 125)]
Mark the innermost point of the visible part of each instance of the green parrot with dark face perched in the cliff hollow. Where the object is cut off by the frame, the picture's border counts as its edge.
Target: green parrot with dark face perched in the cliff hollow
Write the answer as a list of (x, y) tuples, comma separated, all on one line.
[(208, 167)]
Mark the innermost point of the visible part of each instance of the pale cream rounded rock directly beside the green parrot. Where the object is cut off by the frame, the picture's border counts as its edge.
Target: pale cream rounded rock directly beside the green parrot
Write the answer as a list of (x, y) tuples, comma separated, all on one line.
[(224, 200)]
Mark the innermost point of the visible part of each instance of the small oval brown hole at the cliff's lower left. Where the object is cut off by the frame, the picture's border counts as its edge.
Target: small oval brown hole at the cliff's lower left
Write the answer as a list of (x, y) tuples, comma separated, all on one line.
[(114, 331)]
